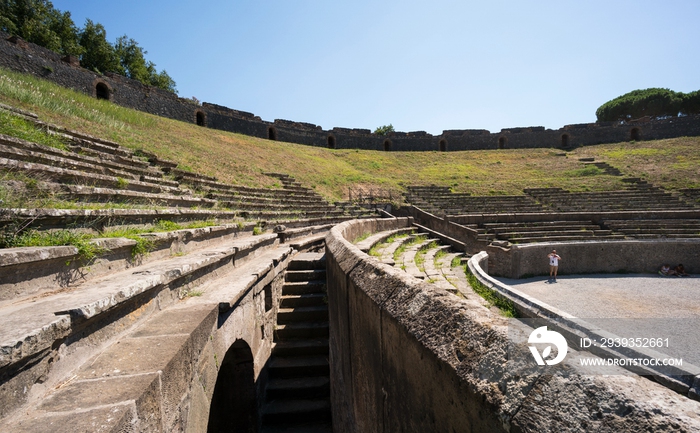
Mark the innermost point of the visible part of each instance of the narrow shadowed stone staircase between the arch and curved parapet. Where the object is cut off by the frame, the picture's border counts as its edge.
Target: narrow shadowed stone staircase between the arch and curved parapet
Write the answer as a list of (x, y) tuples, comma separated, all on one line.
[(298, 389)]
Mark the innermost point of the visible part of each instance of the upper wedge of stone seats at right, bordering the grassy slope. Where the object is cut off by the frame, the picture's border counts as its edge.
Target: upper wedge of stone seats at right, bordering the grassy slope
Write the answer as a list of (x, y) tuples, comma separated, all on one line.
[(637, 197)]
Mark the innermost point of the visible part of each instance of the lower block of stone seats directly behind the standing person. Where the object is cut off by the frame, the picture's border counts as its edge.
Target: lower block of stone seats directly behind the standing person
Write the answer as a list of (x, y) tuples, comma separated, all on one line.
[(545, 231)]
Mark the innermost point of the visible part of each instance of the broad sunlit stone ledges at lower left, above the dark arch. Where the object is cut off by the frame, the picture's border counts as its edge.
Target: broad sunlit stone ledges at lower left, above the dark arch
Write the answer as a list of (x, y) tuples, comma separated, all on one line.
[(57, 340)]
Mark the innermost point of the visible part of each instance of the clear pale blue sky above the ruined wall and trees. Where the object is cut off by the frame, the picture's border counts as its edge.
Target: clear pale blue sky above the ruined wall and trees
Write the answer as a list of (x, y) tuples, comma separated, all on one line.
[(421, 66)]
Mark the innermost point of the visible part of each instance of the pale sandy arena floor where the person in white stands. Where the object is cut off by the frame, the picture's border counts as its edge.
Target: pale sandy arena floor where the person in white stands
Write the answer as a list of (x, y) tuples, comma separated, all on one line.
[(630, 306)]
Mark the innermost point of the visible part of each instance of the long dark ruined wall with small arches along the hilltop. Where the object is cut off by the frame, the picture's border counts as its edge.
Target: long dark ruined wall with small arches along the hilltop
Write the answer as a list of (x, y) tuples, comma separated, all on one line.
[(19, 55)]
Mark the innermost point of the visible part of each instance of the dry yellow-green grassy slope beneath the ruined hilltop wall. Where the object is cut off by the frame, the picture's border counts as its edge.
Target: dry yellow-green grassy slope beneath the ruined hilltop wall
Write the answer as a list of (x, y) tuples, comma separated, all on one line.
[(241, 160)]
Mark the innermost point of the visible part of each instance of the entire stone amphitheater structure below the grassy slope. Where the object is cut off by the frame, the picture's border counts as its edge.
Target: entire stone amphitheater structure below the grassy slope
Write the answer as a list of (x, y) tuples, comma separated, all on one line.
[(231, 308)]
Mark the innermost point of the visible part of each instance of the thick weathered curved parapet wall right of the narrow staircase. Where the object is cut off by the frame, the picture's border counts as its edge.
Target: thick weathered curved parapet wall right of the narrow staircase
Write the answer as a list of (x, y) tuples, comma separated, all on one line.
[(406, 355)]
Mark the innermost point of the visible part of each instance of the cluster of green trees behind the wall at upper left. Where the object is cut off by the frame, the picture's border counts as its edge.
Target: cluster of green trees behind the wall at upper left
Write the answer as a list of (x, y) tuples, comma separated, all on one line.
[(37, 21)]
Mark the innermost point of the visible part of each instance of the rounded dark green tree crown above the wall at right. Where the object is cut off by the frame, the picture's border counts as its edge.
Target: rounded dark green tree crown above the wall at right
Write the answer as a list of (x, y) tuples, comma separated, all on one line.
[(653, 102)]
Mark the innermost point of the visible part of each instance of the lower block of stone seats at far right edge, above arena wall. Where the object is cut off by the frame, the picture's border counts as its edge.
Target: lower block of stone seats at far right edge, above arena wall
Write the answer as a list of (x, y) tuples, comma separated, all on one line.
[(679, 228)]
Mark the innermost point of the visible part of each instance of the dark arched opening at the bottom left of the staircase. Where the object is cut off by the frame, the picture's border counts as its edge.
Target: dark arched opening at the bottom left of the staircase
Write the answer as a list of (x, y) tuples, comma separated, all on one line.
[(234, 403)]
